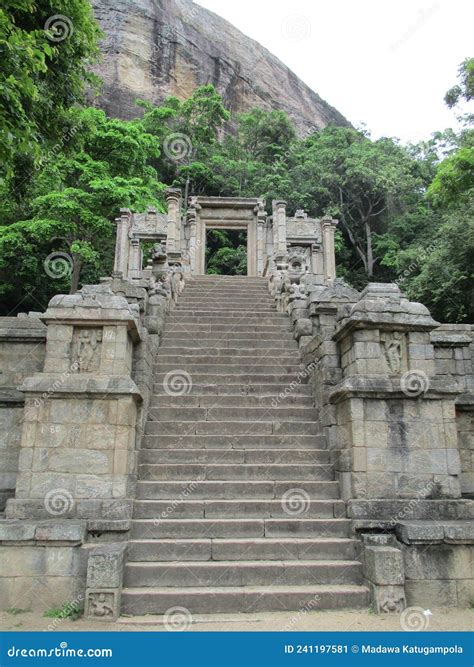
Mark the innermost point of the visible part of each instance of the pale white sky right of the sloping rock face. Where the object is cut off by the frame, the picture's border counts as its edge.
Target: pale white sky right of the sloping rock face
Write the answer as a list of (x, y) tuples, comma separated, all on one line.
[(383, 64)]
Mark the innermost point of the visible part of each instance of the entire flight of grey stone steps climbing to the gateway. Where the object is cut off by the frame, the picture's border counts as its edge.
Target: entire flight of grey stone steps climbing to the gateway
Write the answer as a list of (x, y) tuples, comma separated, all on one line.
[(237, 509)]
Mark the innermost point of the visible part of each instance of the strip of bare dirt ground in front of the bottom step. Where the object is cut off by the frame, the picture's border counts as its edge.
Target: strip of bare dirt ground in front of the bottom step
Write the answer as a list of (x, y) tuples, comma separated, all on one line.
[(350, 621)]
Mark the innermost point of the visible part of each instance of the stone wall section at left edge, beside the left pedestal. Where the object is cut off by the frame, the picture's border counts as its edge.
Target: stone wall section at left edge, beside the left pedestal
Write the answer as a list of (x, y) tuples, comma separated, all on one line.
[(22, 350)]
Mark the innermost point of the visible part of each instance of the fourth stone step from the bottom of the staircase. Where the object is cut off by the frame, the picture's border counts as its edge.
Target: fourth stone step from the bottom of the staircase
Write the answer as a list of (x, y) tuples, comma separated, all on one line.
[(188, 528)]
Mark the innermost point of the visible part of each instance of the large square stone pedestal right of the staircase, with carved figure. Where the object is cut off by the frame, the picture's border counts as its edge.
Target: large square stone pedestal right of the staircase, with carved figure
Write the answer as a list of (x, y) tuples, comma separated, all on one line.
[(395, 421)]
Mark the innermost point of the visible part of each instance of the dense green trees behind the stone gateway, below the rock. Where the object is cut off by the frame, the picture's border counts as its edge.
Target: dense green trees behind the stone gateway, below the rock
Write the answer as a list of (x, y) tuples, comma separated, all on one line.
[(406, 213)]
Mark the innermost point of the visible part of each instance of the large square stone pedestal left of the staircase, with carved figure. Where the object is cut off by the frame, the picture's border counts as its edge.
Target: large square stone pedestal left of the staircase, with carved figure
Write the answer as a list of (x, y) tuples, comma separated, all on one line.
[(77, 454)]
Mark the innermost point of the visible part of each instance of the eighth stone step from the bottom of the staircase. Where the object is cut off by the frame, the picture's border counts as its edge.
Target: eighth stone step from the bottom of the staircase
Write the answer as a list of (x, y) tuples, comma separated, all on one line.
[(233, 455)]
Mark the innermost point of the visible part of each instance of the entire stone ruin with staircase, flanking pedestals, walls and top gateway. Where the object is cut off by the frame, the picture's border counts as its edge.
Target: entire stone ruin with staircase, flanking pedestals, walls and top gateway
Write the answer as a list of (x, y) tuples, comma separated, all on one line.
[(275, 441)]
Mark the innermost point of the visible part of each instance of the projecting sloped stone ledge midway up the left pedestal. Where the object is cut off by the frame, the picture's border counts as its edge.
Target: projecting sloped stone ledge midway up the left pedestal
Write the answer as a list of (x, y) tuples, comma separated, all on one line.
[(99, 386)]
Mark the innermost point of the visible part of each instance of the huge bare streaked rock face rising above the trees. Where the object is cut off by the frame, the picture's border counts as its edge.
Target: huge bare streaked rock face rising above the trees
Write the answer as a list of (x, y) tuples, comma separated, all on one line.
[(156, 48)]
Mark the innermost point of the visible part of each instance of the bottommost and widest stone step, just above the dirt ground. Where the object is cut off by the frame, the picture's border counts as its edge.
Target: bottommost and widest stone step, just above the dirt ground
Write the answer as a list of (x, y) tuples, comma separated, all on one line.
[(245, 599)]
